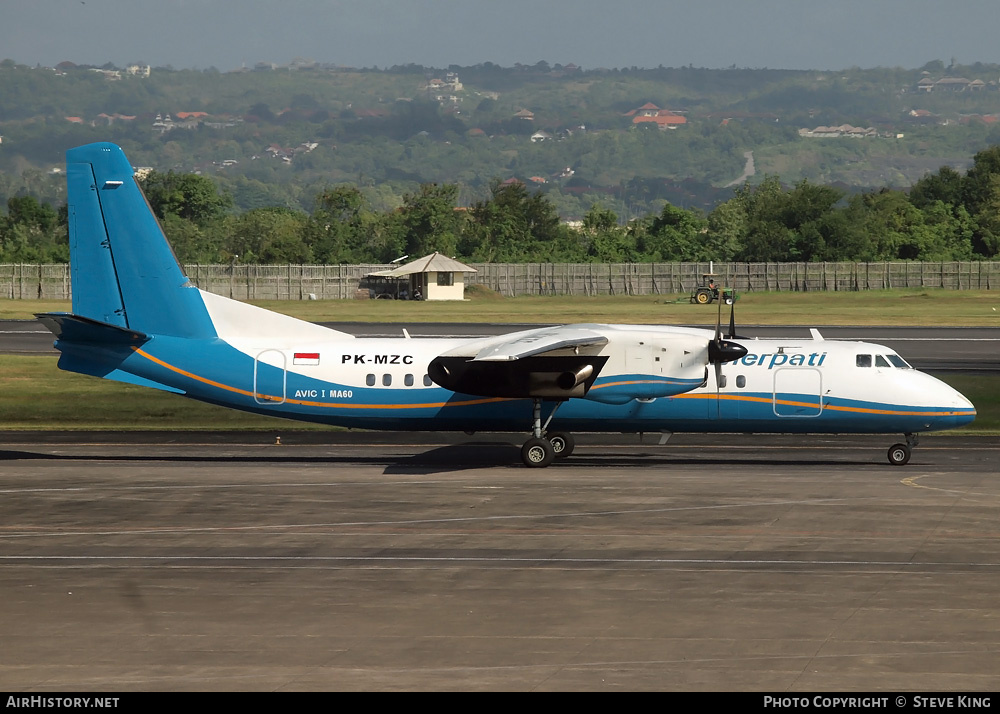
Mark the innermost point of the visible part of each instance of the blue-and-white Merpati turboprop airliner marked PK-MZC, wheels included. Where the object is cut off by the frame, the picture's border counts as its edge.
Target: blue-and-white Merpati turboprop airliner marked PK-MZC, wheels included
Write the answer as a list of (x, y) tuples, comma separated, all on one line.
[(137, 319)]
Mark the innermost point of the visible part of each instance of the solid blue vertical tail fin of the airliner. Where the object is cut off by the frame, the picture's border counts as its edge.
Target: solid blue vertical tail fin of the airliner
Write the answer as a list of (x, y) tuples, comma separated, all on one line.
[(124, 273)]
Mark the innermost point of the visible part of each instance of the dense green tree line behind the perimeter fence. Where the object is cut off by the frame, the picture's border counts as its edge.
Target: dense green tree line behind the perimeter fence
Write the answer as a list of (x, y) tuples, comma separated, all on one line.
[(946, 215)]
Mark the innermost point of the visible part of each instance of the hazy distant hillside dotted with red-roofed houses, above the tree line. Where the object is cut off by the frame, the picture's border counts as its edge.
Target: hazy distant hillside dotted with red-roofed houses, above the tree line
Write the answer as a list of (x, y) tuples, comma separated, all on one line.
[(633, 139)]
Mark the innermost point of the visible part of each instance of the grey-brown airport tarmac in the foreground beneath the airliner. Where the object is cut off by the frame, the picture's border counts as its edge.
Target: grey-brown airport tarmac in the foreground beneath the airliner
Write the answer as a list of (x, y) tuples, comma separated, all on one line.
[(419, 562)]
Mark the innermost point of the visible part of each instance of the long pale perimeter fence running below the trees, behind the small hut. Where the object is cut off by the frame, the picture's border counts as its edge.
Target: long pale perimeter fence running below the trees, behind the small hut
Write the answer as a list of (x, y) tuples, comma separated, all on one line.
[(333, 282)]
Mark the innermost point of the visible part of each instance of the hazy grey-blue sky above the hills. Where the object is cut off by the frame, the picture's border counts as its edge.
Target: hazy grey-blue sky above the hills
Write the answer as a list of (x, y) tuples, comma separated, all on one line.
[(226, 34)]
